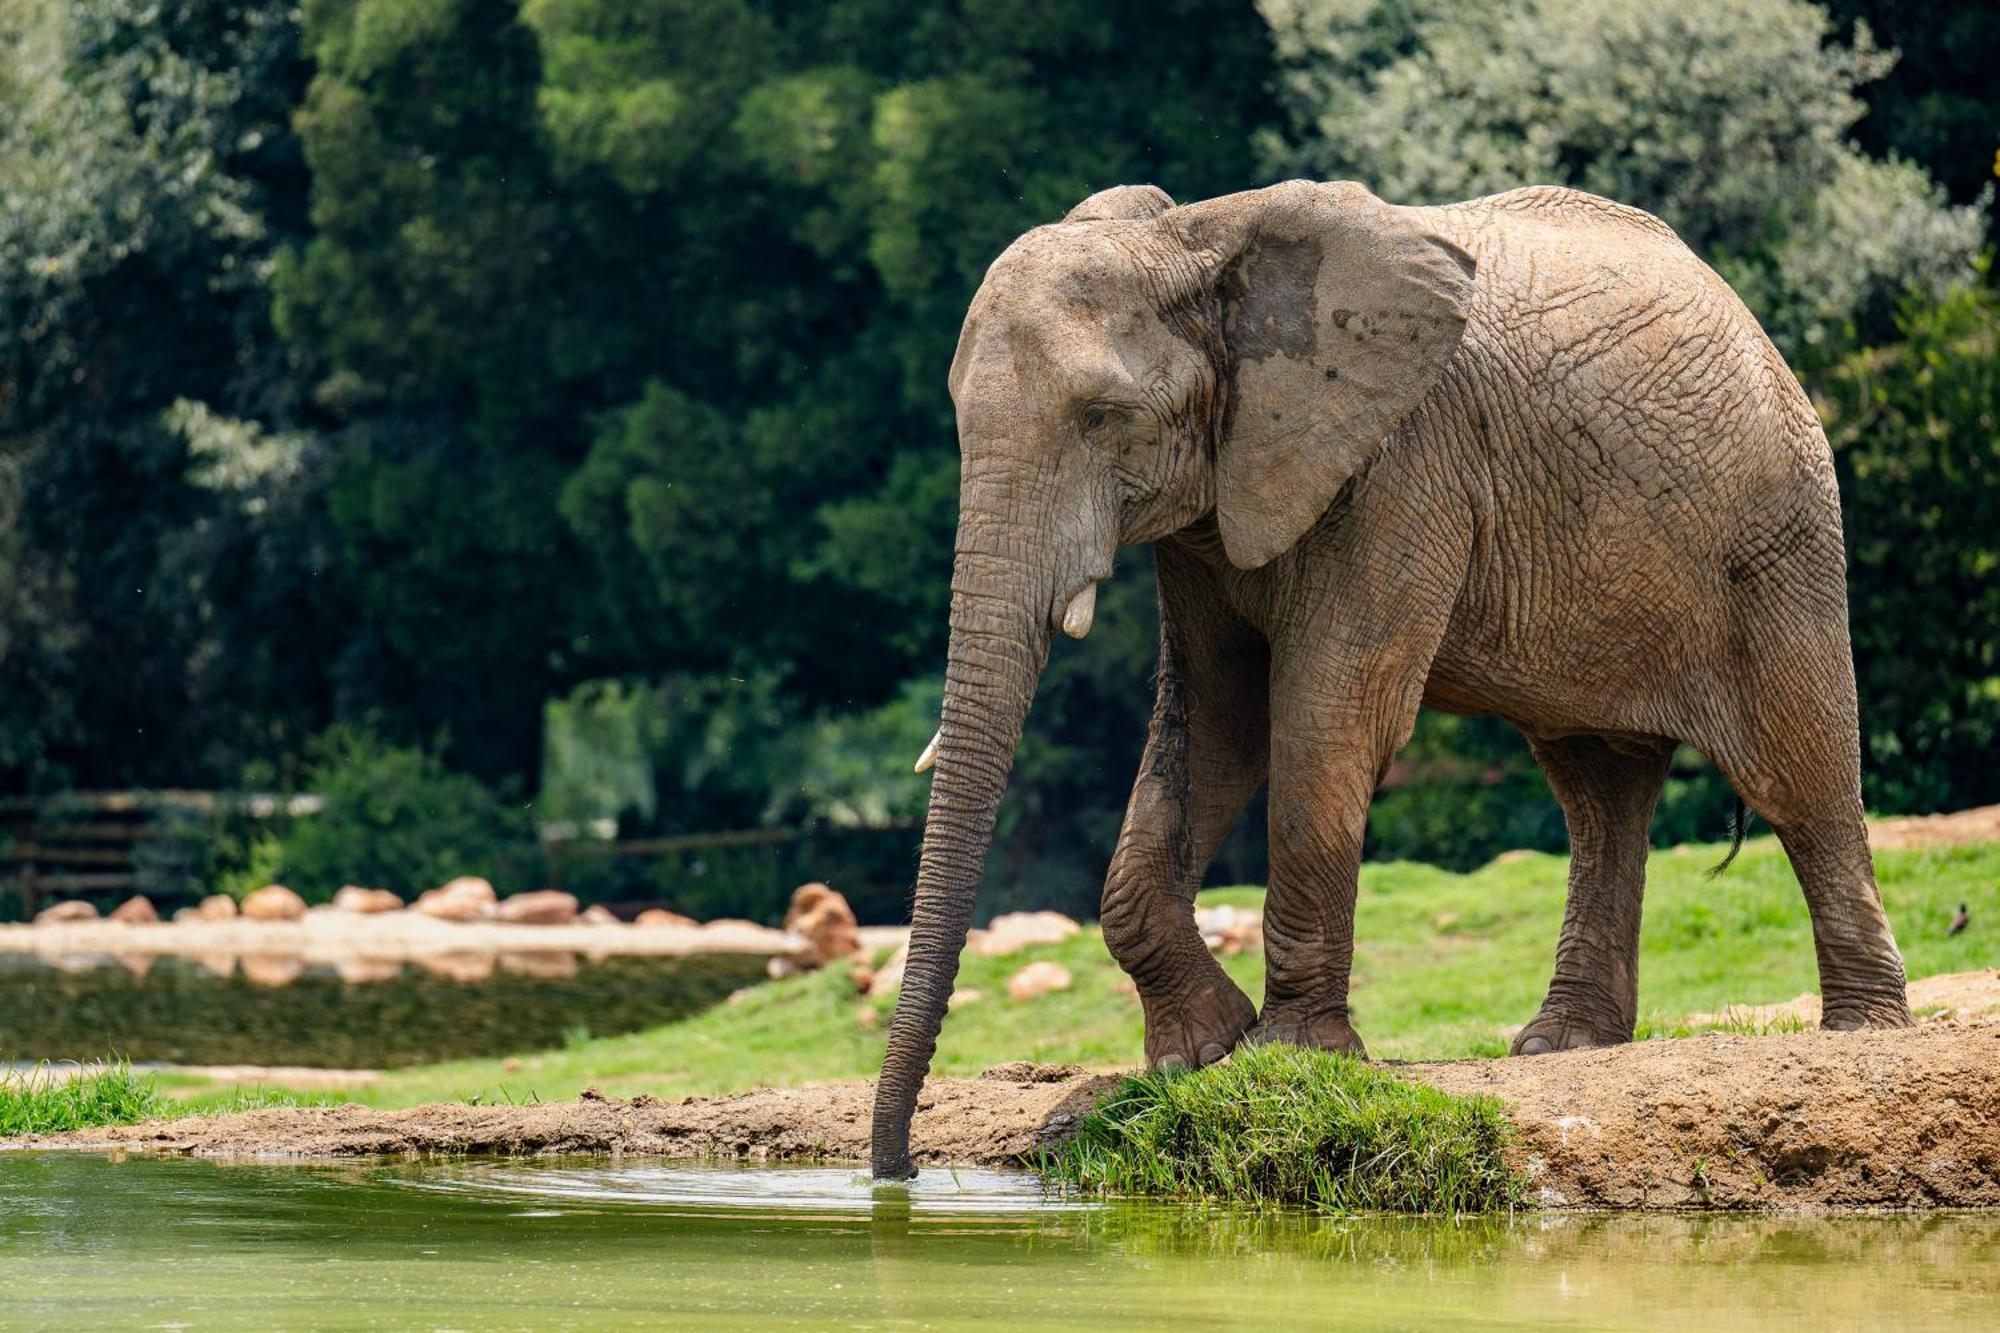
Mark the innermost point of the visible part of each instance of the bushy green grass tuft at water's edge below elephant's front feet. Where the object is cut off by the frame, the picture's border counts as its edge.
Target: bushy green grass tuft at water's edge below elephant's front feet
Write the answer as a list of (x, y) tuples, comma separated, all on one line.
[(1289, 1126)]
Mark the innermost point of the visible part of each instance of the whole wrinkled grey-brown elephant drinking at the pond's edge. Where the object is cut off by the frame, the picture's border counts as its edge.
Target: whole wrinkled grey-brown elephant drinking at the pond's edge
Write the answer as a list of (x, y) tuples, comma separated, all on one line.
[(1523, 455)]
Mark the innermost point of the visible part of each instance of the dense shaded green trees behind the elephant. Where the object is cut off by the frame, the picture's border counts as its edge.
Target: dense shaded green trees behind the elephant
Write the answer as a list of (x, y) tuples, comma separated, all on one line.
[(529, 415)]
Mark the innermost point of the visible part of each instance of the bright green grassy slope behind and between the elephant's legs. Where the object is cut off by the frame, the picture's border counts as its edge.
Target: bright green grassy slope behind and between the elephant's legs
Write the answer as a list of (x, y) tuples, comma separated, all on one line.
[(1445, 966)]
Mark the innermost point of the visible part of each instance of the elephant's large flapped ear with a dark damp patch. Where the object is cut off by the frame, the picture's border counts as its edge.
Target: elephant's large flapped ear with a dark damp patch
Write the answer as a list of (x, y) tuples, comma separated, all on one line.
[(1339, 317)]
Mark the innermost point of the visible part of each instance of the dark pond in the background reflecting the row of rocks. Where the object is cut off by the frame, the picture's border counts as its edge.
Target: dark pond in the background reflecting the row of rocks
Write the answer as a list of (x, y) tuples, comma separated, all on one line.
[(229, 1012)]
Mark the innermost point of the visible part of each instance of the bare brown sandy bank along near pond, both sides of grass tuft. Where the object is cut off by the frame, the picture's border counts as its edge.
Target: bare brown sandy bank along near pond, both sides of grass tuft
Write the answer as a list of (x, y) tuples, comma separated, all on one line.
[(1809, 1120)]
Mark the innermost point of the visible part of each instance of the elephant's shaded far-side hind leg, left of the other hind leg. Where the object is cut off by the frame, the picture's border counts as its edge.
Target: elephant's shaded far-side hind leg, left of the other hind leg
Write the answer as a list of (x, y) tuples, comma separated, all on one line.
[(1607, 800)]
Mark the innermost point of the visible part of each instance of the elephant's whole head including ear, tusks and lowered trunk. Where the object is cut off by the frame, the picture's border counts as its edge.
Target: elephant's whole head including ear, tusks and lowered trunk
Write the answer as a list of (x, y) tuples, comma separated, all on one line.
[(1119, 377)]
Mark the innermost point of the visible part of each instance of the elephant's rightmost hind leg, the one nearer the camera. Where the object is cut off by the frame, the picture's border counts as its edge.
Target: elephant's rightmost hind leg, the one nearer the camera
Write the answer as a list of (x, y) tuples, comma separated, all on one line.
[(1795, 760)]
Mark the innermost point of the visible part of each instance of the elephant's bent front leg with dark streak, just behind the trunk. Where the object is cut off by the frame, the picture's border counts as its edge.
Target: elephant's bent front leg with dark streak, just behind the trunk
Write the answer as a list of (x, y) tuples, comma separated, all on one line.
[(1205, 760)]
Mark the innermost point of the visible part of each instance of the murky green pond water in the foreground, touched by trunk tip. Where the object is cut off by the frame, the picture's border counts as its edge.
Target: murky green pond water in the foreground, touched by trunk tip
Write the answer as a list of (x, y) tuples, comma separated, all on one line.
[(175, 1244)]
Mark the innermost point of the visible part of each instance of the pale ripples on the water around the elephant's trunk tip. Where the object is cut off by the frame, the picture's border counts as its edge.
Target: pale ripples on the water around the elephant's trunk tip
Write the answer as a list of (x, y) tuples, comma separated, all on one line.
[(763, 1190)]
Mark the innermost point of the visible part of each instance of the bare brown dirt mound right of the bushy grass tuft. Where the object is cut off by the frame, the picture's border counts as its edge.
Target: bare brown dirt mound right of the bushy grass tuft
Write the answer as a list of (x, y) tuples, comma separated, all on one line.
[(1839, 1120)]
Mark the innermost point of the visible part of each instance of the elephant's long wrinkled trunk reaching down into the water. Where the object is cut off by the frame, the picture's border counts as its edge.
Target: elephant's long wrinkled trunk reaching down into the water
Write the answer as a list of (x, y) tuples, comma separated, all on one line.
[(1001, 635)]
